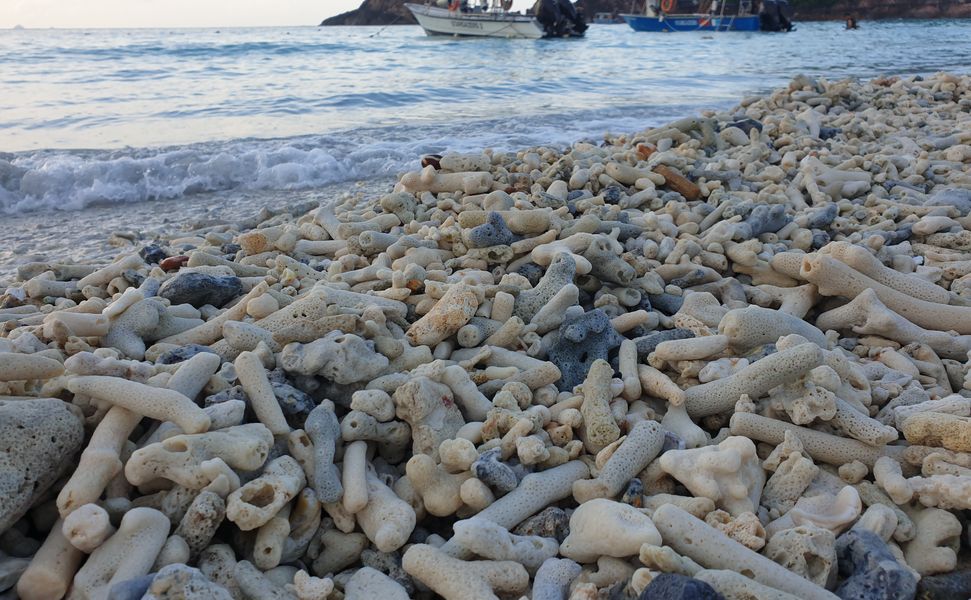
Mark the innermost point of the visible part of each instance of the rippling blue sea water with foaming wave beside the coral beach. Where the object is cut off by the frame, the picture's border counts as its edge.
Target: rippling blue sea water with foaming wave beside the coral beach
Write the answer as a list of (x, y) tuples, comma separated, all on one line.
[(96, 117)]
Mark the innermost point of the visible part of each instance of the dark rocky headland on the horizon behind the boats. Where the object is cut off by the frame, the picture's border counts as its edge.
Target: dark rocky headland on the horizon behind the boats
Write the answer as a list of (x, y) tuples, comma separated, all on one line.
[(393, 12)]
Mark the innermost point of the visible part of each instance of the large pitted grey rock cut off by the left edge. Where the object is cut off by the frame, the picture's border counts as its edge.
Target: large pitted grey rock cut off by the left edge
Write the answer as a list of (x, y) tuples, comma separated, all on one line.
[(38, 440)]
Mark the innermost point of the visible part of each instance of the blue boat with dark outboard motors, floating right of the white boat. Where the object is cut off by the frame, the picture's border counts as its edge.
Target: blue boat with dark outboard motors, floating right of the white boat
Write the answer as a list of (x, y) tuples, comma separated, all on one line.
[(710, 15)]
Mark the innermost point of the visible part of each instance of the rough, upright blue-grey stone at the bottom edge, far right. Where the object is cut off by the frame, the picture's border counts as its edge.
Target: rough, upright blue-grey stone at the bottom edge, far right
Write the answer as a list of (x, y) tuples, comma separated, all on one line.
[(871, 570)]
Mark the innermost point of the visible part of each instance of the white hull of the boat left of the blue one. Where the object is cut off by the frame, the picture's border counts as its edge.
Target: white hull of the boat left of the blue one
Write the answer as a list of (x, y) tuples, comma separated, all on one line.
[(440, 21)]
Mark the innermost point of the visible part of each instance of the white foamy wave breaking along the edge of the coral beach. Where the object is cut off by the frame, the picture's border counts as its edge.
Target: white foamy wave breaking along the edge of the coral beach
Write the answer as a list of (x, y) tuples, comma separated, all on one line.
[(59, 180)]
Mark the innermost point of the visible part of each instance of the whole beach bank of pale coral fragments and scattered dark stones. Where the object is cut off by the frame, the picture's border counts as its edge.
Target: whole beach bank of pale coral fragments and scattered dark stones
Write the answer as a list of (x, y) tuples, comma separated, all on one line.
[(727, 357)]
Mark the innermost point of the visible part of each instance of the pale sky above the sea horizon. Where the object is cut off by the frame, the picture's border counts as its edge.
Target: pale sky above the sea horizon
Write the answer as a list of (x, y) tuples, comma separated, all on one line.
[(173, 13)]
